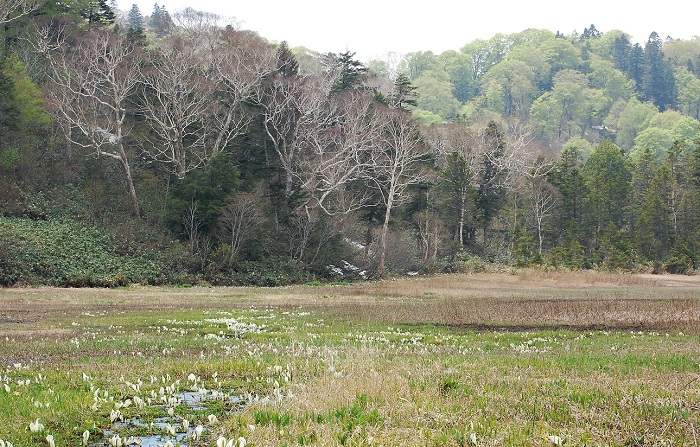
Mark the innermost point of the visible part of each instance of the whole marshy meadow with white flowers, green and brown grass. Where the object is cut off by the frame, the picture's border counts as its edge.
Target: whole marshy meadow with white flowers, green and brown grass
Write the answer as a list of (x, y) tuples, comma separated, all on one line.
[(530, 359)]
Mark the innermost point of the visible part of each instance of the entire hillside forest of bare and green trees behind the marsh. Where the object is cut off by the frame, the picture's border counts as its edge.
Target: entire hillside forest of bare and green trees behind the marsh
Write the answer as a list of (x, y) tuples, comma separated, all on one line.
[(179, 149)]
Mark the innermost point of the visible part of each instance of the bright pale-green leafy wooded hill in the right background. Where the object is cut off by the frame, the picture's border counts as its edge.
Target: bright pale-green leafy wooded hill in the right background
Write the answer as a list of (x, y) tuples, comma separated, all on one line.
[(589, 86)]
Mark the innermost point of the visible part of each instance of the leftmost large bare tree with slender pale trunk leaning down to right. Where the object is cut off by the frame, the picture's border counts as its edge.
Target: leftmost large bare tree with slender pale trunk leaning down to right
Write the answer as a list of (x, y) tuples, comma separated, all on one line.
[(92, 80)]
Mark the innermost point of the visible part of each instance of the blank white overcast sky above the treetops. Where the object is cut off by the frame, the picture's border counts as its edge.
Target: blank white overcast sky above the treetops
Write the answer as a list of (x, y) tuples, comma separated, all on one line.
[(372, 28)]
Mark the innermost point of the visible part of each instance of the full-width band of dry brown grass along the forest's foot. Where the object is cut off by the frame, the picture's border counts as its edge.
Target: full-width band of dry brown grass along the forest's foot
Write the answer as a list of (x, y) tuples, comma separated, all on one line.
[(531, 299)]
